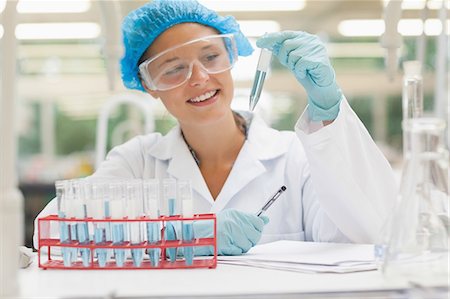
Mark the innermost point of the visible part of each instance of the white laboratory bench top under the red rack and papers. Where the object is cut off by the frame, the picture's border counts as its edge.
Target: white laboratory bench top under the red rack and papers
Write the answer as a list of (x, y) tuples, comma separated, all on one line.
[(226, 281)]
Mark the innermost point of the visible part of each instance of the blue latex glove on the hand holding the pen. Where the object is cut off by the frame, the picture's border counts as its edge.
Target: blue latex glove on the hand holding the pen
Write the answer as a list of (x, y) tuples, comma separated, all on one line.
[(237, 232)]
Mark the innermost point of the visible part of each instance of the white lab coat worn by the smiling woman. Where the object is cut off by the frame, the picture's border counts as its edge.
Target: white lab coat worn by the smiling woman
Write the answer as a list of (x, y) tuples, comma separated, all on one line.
[(340, 187)]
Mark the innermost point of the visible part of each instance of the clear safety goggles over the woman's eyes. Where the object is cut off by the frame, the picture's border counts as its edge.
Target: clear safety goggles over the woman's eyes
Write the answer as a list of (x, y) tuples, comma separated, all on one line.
[(173, 67)]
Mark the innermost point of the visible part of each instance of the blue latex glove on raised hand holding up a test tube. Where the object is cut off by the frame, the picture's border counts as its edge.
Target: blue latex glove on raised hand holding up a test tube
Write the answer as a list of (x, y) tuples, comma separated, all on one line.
[(305, 55)]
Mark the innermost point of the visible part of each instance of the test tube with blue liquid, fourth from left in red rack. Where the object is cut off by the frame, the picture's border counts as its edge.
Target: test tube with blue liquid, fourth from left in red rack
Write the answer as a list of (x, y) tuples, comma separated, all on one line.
[(117, 210)]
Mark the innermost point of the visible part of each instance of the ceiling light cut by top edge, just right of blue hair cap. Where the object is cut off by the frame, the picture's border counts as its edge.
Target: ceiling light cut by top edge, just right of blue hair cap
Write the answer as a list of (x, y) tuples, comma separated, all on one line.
[(254, 5)]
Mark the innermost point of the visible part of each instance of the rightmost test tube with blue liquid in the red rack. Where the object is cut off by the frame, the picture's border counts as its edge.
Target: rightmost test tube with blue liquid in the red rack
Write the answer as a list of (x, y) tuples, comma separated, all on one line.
[(185, 192)]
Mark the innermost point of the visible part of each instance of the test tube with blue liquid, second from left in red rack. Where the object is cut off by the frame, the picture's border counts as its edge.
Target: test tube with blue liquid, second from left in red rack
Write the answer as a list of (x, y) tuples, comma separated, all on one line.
[(80, 213)]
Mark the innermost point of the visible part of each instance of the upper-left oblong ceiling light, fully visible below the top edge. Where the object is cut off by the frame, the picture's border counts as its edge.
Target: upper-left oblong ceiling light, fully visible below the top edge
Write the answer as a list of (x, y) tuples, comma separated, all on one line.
[(58, 31)]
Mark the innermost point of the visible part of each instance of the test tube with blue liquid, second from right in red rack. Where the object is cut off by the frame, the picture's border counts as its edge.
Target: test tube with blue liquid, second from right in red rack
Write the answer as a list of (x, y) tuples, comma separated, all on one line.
[(170, 200)]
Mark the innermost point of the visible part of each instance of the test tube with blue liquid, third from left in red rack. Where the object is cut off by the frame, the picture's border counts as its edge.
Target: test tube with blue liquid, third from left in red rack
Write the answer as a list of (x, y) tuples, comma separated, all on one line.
[(96, 211)]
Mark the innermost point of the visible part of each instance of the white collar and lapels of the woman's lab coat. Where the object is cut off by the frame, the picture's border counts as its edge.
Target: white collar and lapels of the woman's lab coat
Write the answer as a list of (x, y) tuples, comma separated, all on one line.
[(263, 143)]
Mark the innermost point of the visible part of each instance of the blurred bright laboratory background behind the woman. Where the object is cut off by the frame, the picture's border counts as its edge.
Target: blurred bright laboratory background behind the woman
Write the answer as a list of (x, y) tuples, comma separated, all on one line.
[(71, 106)]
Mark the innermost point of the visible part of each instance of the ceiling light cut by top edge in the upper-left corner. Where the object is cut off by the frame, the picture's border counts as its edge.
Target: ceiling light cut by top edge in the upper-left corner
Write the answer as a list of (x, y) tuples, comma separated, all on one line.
[(53, 6)]
